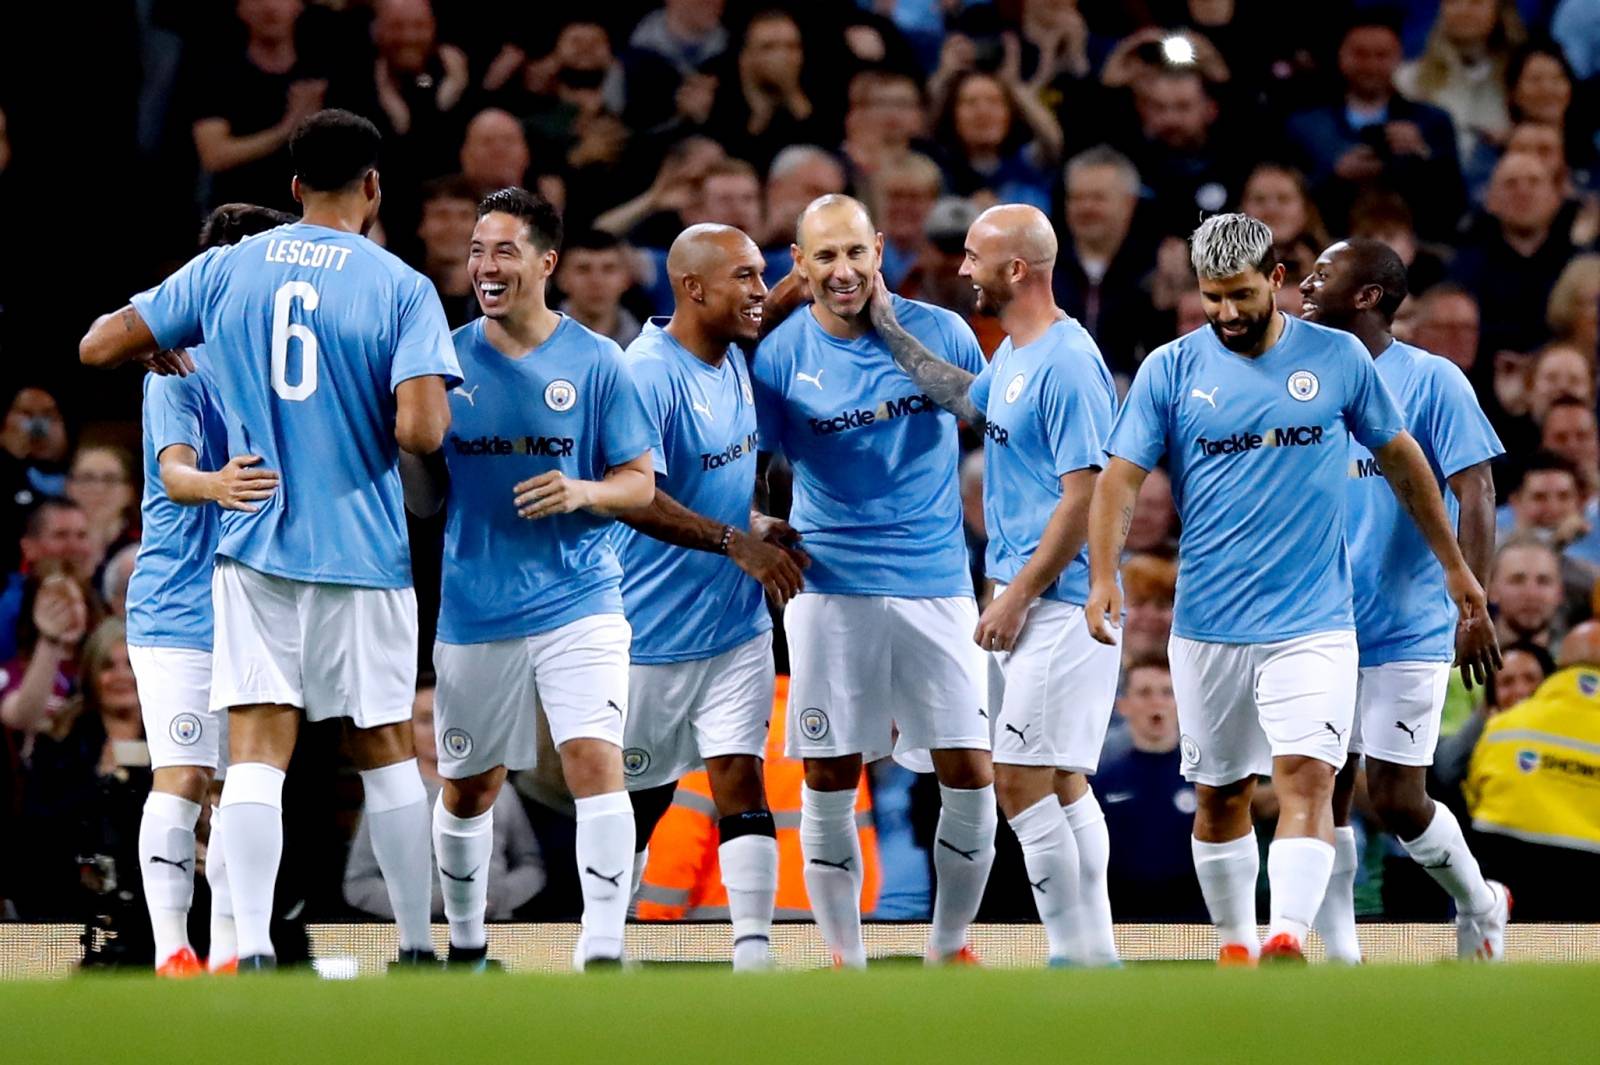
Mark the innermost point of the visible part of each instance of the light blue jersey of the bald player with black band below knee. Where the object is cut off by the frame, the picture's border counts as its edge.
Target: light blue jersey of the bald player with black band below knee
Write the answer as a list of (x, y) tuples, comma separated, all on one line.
[(684, 604)]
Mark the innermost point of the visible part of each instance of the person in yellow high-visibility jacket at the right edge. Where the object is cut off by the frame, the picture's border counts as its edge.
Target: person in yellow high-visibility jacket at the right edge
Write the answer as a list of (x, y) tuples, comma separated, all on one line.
[(1530, 791)]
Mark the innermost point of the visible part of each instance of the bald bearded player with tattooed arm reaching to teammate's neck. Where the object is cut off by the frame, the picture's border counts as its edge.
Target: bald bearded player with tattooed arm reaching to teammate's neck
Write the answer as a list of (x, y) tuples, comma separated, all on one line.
[(1046, 405)]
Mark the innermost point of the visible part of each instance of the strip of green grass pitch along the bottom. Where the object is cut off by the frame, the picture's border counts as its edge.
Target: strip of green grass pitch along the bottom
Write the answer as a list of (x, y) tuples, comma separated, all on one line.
[(1146, 1015)]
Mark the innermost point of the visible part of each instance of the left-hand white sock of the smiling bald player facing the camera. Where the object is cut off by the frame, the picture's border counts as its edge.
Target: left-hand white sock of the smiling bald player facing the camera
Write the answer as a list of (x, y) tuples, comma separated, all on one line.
[(833, 871)]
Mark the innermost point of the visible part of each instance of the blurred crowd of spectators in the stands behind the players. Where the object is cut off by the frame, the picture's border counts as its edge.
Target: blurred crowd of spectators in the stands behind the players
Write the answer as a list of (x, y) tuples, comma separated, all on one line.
[(1466, 135)]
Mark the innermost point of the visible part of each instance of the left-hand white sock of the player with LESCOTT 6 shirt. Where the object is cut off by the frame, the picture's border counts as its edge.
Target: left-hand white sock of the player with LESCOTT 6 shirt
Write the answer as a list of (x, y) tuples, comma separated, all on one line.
[(254, 813)]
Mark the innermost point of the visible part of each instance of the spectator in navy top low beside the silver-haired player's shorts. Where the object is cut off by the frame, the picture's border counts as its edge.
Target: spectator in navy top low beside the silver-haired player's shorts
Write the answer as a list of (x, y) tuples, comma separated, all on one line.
[(1150, 807)]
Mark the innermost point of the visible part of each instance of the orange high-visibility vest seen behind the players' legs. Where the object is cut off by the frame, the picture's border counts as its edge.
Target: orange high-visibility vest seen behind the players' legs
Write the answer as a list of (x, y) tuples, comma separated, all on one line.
[(684, 879)]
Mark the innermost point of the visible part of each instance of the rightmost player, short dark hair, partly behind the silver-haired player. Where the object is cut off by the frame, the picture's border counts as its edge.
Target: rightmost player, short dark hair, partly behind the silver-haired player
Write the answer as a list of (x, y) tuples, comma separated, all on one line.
[(1406, 624)]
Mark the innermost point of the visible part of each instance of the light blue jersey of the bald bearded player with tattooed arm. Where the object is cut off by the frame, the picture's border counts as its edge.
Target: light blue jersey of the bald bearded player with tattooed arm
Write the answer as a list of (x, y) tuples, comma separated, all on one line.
[(1049, 409)]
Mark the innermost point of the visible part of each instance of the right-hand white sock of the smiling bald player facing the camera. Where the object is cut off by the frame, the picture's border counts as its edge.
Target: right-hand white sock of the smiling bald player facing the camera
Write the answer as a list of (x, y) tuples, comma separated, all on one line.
[(964, 852)]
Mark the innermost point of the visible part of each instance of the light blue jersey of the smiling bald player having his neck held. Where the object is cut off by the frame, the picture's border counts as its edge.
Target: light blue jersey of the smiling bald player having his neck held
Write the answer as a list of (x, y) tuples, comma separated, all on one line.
[(874, 460)]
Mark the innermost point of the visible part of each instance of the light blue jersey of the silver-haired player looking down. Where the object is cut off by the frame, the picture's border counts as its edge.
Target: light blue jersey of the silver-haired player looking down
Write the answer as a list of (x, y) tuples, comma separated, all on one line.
[(1258, 452)]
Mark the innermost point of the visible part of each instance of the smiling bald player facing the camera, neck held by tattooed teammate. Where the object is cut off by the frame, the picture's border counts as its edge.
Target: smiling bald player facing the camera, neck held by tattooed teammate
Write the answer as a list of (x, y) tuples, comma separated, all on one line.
[(879, 637)]
